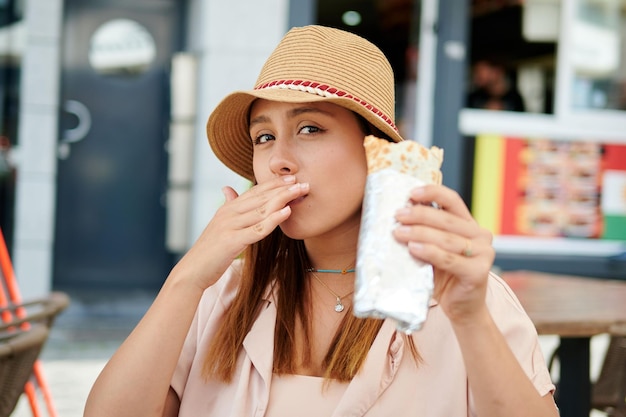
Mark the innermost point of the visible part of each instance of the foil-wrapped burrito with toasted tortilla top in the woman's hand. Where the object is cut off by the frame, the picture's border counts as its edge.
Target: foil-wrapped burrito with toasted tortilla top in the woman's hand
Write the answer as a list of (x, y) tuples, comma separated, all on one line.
[(390, 283)]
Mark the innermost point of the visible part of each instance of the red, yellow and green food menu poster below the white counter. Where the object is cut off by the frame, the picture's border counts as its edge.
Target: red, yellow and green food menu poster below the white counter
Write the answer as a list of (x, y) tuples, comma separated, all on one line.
[(549, 188)]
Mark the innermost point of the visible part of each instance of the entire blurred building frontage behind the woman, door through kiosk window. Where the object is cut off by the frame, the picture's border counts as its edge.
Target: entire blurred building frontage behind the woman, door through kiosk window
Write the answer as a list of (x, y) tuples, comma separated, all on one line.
[(115, 178)]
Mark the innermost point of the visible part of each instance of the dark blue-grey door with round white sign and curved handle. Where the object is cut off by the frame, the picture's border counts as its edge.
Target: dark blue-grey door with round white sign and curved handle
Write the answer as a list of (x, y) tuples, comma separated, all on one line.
[(110, 219)]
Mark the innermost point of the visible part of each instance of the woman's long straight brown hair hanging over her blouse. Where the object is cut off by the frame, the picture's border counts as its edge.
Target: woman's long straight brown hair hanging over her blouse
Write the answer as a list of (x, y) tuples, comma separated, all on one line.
[(280, 262)]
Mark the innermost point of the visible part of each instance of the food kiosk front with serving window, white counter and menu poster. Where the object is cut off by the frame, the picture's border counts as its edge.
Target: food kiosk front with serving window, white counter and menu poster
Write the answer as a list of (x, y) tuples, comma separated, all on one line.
[(550, 180)]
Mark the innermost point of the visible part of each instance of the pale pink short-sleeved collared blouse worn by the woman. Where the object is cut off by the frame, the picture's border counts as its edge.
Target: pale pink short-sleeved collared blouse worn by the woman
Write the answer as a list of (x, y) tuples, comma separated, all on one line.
[(389, 382)]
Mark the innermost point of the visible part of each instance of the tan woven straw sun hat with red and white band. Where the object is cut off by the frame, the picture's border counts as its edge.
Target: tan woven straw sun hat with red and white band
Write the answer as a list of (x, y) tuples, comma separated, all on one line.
[(310, 64)]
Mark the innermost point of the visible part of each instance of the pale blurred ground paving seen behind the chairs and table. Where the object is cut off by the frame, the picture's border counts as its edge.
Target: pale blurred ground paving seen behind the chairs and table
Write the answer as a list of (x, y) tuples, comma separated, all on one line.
[(85, 336)]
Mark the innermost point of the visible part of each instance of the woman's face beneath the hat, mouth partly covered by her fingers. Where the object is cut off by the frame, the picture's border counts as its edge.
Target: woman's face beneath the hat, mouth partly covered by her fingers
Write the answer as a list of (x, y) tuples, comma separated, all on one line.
[(319, 143)]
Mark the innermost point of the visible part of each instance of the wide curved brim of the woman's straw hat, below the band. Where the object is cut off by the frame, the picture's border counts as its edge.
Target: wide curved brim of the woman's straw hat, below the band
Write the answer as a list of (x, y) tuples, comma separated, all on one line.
[(227, 126)]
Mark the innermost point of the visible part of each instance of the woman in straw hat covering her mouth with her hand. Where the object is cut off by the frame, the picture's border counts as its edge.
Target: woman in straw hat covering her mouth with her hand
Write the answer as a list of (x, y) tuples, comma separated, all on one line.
[(261, 335)]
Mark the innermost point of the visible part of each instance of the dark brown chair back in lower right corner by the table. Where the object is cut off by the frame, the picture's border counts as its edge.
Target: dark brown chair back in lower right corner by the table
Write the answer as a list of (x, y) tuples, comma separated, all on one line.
[(609, 391)]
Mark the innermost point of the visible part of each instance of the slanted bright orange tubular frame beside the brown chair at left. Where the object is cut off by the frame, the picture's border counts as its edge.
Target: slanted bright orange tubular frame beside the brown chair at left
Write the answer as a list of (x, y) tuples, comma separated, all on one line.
[(14, 293)]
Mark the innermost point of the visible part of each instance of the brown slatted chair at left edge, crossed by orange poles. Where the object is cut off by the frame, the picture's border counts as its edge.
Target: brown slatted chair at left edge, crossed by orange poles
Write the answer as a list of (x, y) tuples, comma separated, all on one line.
[(24, 329)]
